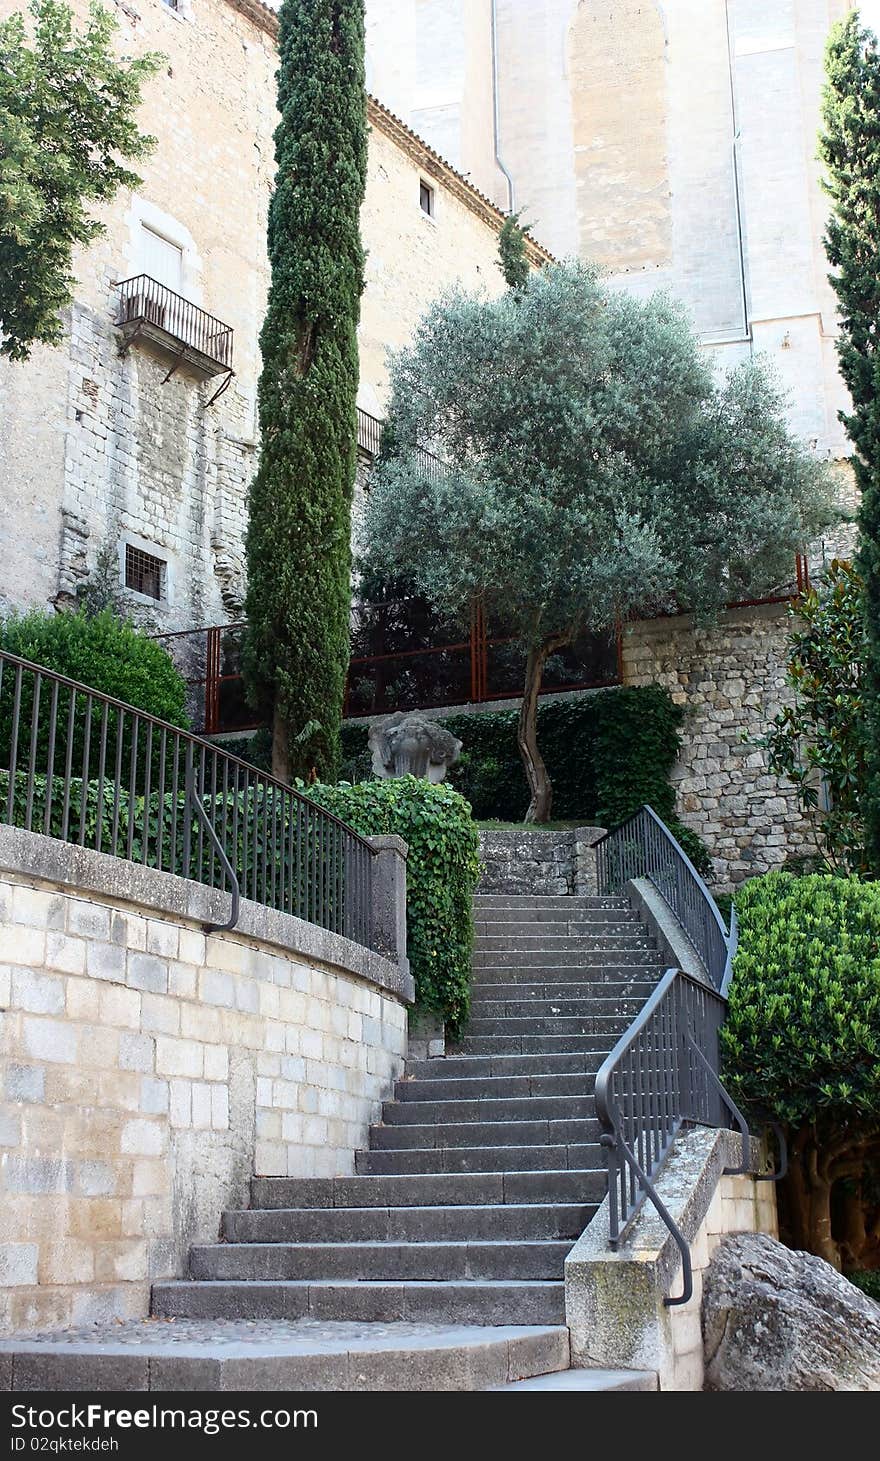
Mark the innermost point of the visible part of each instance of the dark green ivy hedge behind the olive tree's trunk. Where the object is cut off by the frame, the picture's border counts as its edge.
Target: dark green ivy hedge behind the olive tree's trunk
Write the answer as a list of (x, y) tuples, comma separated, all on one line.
[(607, 755)]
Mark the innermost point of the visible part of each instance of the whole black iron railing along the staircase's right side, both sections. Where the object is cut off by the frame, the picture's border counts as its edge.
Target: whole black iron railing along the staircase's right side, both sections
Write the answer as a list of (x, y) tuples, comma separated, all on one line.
[(664, 1073)]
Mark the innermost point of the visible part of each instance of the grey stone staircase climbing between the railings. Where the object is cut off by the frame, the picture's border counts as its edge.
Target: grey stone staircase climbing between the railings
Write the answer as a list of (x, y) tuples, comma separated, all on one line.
[(452, 1237)]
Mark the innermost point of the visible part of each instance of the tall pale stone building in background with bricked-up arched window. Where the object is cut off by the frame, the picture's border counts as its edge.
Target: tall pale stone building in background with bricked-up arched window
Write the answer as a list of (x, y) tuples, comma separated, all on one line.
[(672, 141)]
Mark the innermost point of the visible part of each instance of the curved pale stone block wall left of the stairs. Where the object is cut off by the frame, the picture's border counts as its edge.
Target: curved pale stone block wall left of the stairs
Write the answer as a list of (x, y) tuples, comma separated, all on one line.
[(147, 1072)]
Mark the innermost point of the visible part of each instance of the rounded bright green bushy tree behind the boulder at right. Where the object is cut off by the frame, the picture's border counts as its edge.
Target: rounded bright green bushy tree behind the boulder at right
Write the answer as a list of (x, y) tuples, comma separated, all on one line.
[(802, 1045)]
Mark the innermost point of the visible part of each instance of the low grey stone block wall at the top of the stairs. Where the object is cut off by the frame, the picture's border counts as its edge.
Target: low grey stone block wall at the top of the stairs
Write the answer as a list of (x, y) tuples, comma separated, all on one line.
[(539, 863)]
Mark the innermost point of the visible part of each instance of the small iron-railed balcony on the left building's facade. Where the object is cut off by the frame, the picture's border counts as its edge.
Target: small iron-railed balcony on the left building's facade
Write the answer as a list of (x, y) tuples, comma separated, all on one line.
[(179, 329)]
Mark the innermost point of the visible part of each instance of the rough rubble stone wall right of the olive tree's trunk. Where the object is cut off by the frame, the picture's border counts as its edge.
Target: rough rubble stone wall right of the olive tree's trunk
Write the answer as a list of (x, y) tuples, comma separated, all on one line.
[(730, 679)]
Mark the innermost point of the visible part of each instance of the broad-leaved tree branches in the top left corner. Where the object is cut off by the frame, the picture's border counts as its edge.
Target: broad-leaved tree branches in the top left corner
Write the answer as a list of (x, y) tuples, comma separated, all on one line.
[(68, 115)]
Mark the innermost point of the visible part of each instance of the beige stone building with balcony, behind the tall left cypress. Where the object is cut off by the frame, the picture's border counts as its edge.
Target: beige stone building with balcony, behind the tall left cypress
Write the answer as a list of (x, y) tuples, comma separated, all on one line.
[(126, 454)]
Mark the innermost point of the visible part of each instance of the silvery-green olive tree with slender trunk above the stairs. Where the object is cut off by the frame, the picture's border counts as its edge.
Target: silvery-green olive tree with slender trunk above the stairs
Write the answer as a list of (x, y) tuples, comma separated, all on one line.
[(594, 470)]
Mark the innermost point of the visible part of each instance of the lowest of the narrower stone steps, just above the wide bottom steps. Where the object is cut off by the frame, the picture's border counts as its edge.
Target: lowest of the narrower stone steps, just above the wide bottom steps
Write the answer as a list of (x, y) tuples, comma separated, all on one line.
[(578, 1156)]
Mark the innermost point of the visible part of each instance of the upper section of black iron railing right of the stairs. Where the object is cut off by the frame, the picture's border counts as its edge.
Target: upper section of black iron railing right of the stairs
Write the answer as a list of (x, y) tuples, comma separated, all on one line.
[(644, 848)]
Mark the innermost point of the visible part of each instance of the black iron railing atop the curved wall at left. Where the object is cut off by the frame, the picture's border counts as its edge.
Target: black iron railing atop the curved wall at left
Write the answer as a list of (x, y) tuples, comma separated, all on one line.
[(87, 769)]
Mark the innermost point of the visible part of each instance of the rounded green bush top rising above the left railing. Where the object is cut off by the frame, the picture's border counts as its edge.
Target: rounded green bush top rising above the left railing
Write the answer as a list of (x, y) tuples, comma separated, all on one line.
[(100, 651)]
